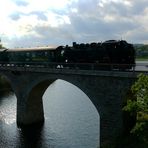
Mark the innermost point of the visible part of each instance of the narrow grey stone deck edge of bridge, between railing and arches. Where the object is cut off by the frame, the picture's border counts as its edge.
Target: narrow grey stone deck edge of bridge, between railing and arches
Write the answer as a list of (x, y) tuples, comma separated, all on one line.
[(115, 73)]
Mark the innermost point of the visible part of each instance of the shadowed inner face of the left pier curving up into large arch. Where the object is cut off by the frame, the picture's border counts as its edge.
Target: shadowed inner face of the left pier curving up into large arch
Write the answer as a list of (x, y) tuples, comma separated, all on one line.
[(34, 112)]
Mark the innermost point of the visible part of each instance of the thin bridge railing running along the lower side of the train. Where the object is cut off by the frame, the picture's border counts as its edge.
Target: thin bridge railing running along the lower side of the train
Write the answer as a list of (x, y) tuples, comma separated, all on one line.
[(80, 66)]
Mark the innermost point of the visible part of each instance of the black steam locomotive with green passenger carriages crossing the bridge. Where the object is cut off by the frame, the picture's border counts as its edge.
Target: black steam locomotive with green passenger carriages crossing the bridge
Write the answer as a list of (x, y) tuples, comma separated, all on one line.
[(117, 54)]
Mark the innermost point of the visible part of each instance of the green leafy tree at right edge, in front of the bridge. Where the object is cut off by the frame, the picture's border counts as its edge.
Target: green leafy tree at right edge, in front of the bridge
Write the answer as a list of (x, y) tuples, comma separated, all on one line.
[(139, 105)]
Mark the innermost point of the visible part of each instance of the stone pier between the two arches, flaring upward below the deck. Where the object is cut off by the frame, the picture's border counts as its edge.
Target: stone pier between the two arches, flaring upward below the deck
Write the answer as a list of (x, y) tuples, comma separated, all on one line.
[(29, 90)]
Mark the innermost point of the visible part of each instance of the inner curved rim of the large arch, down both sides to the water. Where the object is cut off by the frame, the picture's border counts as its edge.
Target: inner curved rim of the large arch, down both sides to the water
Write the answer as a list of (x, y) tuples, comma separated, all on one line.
[(37, 91)]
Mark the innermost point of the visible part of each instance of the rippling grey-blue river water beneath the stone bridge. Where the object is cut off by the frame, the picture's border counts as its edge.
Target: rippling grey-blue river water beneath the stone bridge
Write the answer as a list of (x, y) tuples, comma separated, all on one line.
[(71, 121)]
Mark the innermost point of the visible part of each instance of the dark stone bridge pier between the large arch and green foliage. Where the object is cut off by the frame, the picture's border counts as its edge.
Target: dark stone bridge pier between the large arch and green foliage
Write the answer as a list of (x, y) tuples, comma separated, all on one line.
[(107, 93)]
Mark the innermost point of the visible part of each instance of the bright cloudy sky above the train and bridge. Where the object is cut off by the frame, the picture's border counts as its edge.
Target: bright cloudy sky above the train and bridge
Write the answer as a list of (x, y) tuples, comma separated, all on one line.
[(30, 23)]
